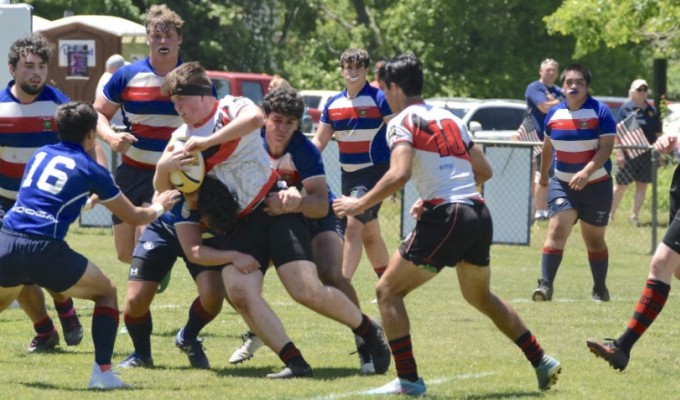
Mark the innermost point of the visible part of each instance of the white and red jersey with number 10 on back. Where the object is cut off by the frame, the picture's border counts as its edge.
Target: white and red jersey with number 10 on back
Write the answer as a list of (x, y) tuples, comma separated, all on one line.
[(441, 168)]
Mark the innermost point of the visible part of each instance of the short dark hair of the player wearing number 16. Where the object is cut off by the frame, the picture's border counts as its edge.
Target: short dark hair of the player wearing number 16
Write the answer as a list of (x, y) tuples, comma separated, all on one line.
[(75, 120)]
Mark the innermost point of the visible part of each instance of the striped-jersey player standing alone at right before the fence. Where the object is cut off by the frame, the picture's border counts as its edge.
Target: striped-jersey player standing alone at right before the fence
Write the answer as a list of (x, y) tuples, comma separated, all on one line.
[(582, 131)]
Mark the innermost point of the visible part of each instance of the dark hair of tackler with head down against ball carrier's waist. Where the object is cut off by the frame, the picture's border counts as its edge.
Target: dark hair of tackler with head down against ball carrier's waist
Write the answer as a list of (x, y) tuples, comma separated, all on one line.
[(217, 205)]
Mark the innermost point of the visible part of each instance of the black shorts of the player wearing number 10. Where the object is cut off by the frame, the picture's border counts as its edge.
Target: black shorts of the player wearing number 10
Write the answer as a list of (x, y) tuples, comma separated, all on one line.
[(448, 233)]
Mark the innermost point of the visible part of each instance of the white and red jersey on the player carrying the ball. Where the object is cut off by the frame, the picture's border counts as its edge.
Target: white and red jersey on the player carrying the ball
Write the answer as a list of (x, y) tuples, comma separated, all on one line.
[(242, 164)]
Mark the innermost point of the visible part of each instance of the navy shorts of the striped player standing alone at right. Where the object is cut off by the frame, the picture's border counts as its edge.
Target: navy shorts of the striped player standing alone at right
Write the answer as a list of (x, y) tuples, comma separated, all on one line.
[(592, 203)]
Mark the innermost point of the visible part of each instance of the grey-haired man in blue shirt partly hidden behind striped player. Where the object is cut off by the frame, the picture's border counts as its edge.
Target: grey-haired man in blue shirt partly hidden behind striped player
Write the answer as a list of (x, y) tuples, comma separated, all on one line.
[(541, 96)]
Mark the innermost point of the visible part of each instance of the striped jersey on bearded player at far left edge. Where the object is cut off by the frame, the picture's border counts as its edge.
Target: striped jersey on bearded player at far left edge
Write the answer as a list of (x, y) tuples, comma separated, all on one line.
[(23, 129)]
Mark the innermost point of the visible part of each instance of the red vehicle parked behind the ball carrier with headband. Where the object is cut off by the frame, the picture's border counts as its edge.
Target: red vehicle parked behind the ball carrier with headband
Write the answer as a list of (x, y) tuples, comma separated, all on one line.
[(251, 85)]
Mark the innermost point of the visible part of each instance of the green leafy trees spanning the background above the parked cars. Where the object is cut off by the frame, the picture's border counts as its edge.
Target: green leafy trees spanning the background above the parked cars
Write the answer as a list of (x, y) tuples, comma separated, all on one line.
[(468, 48)]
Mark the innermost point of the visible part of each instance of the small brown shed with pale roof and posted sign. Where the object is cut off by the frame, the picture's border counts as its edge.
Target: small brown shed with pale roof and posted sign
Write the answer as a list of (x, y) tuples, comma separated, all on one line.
[(82, 45)]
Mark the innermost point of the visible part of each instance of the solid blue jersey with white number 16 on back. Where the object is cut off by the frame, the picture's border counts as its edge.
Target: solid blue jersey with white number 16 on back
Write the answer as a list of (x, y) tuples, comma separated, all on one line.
[(57, 182)]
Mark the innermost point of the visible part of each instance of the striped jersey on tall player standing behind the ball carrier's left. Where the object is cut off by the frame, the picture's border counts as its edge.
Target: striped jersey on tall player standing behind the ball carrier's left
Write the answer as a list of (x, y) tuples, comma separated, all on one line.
[(150, 117)]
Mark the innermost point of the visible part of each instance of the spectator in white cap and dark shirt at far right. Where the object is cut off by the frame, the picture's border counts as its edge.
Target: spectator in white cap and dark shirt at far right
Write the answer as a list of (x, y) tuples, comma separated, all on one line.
[(636, 169)]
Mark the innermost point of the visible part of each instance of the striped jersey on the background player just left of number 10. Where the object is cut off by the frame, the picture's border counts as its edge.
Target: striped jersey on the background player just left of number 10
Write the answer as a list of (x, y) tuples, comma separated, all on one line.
[(359, 127)]
